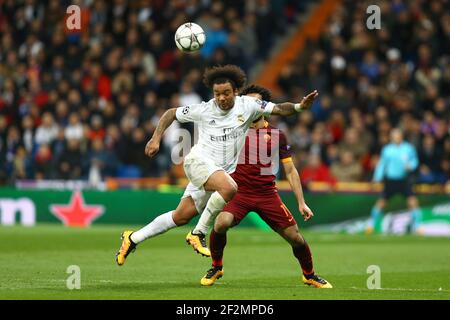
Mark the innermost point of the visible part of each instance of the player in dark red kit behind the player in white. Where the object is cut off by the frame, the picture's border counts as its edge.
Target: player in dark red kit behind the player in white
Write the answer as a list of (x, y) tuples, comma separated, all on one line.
[(264, 147)]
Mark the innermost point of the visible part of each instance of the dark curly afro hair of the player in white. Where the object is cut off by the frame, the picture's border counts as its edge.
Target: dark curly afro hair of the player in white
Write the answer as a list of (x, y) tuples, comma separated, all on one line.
[(223, 74)]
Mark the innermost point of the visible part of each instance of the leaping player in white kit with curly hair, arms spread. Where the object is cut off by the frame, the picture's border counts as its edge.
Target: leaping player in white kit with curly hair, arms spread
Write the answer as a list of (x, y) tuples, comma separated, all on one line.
[(223, 123)]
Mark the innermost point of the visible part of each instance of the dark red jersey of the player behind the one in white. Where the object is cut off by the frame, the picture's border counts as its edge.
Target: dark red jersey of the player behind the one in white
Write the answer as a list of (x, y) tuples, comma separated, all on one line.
[(260, 159)]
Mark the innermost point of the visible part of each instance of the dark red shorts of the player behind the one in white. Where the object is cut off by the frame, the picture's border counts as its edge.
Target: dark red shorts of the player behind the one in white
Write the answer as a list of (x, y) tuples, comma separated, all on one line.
[(269, 207)]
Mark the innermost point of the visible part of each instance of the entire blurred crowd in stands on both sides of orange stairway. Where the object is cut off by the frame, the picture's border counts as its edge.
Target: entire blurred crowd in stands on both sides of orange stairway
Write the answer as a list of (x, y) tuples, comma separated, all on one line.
[(82, 105)]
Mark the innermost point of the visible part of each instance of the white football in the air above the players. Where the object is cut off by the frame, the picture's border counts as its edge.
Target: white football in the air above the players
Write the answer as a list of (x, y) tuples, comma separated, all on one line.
[(189, 37)]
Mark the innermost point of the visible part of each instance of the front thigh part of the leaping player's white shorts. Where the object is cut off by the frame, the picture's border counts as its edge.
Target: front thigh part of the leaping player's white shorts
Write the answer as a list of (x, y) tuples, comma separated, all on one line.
[(198, 168)]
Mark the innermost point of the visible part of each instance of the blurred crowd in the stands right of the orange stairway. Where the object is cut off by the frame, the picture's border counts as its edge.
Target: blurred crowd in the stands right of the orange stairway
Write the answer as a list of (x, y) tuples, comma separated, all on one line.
[(371, 81)]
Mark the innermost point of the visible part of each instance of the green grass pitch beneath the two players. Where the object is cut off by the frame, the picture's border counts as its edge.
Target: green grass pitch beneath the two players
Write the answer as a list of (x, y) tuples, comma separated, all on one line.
[(258, 265)]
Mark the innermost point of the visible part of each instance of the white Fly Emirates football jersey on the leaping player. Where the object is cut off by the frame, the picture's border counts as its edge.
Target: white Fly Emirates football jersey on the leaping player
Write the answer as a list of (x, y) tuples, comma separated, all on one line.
[(222, 132)]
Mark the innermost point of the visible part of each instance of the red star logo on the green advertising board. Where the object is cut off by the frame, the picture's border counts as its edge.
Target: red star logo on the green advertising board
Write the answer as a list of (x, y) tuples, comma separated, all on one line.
[(77, 213)]
